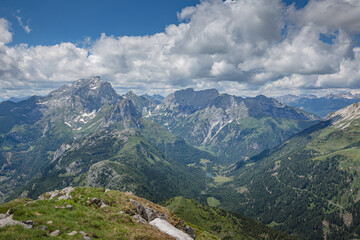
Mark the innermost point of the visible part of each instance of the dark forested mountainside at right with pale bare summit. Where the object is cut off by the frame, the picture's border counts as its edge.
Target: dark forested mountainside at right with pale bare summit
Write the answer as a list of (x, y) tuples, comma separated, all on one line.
[(309, 185)]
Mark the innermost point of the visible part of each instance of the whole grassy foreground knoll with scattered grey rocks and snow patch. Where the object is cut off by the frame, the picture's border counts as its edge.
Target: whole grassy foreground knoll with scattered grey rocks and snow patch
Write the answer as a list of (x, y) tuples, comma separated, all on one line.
[(90, 213)]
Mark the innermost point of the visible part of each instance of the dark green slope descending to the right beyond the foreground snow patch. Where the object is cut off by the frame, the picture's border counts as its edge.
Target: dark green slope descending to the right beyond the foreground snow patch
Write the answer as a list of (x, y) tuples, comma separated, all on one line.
[(221, 223)]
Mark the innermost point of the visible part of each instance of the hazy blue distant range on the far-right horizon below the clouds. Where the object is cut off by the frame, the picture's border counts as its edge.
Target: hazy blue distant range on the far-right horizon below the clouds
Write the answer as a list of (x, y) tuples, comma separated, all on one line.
[(320, 106)]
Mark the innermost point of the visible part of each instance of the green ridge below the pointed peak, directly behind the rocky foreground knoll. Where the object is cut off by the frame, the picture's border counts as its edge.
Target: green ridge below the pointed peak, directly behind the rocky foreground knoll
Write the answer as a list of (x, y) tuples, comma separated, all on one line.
[(138, 165)]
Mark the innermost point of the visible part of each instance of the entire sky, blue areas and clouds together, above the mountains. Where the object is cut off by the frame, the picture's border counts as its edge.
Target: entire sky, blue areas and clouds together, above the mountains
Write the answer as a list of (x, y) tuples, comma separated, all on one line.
[(242, 47)]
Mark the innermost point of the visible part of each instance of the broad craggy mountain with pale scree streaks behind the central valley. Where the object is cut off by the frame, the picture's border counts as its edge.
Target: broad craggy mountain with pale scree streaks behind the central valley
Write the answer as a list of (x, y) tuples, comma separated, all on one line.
[(231, 127)]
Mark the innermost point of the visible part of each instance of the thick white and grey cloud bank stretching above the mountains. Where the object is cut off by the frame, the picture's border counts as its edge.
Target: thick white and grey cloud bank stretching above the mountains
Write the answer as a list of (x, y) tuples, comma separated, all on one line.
[(242, 47)]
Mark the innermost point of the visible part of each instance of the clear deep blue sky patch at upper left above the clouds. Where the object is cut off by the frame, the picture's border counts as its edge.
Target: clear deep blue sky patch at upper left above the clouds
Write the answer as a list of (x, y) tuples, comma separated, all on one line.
[(53, 21)]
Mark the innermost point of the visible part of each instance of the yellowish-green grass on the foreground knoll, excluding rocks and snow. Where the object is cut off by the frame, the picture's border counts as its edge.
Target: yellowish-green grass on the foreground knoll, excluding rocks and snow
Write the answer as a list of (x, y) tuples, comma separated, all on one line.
[(103, 223)]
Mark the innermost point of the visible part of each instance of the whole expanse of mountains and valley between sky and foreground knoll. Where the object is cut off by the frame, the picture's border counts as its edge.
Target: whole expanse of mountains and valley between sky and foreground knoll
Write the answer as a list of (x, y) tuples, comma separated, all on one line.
[(278, 164)]
